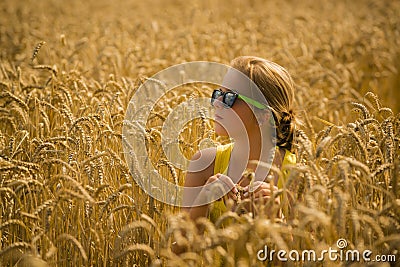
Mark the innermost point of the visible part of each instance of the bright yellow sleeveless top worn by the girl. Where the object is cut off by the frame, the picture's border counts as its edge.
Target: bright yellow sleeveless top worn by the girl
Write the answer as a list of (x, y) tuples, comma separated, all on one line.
[(221, 166)]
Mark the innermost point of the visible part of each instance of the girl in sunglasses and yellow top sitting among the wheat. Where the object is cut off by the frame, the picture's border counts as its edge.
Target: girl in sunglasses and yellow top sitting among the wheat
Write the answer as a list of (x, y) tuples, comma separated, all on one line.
[(254, 107)]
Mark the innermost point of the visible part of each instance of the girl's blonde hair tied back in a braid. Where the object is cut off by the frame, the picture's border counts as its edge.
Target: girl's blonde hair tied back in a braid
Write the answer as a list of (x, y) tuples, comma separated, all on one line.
[(277, 87)]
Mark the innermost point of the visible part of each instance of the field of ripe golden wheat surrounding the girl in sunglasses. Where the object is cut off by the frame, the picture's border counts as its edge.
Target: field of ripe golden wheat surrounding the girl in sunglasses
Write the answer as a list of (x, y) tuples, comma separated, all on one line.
[(69, 69)]
